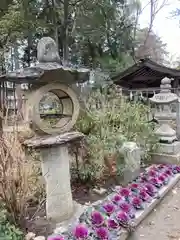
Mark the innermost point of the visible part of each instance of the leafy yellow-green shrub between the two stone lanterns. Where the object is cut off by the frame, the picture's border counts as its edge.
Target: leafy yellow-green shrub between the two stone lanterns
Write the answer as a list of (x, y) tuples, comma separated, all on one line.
[(110, 120)]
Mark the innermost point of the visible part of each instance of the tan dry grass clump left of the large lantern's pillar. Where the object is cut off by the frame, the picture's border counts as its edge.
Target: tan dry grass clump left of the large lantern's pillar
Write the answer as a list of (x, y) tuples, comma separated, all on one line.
[(19, 179)]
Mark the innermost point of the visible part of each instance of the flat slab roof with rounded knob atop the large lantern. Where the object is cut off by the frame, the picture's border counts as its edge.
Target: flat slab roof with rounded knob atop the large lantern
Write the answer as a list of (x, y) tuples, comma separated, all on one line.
[(48, 69)]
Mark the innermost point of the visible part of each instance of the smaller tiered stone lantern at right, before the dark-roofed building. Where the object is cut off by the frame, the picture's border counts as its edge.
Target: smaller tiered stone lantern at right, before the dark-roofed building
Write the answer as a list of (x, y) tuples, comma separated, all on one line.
[(169, 150)]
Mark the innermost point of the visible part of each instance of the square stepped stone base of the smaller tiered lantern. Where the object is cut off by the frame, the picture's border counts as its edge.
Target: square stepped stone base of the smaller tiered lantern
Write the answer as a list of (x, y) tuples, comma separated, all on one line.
[(168, 153)]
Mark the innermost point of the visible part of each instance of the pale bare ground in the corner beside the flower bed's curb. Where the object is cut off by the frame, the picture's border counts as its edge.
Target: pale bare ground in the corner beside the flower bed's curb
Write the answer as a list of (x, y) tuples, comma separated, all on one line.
[(164, 222)]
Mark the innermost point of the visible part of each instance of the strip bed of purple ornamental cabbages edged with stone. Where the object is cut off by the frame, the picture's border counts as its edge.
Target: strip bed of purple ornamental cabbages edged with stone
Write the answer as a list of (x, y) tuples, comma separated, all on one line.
[(105, 220)]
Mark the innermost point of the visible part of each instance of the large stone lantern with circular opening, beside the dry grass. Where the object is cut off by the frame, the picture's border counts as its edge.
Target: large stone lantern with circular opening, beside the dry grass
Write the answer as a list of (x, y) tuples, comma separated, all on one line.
[(52, 141)]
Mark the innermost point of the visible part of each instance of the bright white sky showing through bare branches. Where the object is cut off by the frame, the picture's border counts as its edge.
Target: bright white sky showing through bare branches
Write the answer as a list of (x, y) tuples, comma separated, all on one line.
[(165, 26)]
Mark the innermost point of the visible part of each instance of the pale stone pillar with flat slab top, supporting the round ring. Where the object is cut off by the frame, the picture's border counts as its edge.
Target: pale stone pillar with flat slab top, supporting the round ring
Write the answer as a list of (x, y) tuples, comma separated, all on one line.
[(55, 169)]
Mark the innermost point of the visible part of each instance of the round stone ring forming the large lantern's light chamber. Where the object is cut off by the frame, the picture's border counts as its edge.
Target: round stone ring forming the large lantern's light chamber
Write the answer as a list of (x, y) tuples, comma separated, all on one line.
[(70, 109)]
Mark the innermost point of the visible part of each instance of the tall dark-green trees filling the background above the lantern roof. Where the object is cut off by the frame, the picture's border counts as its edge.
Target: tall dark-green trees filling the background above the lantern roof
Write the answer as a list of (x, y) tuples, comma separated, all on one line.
[(97, 34)]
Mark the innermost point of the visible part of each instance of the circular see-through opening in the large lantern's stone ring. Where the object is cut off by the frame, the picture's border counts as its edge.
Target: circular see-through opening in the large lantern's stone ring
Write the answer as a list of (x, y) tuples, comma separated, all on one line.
[(56, 109)]
